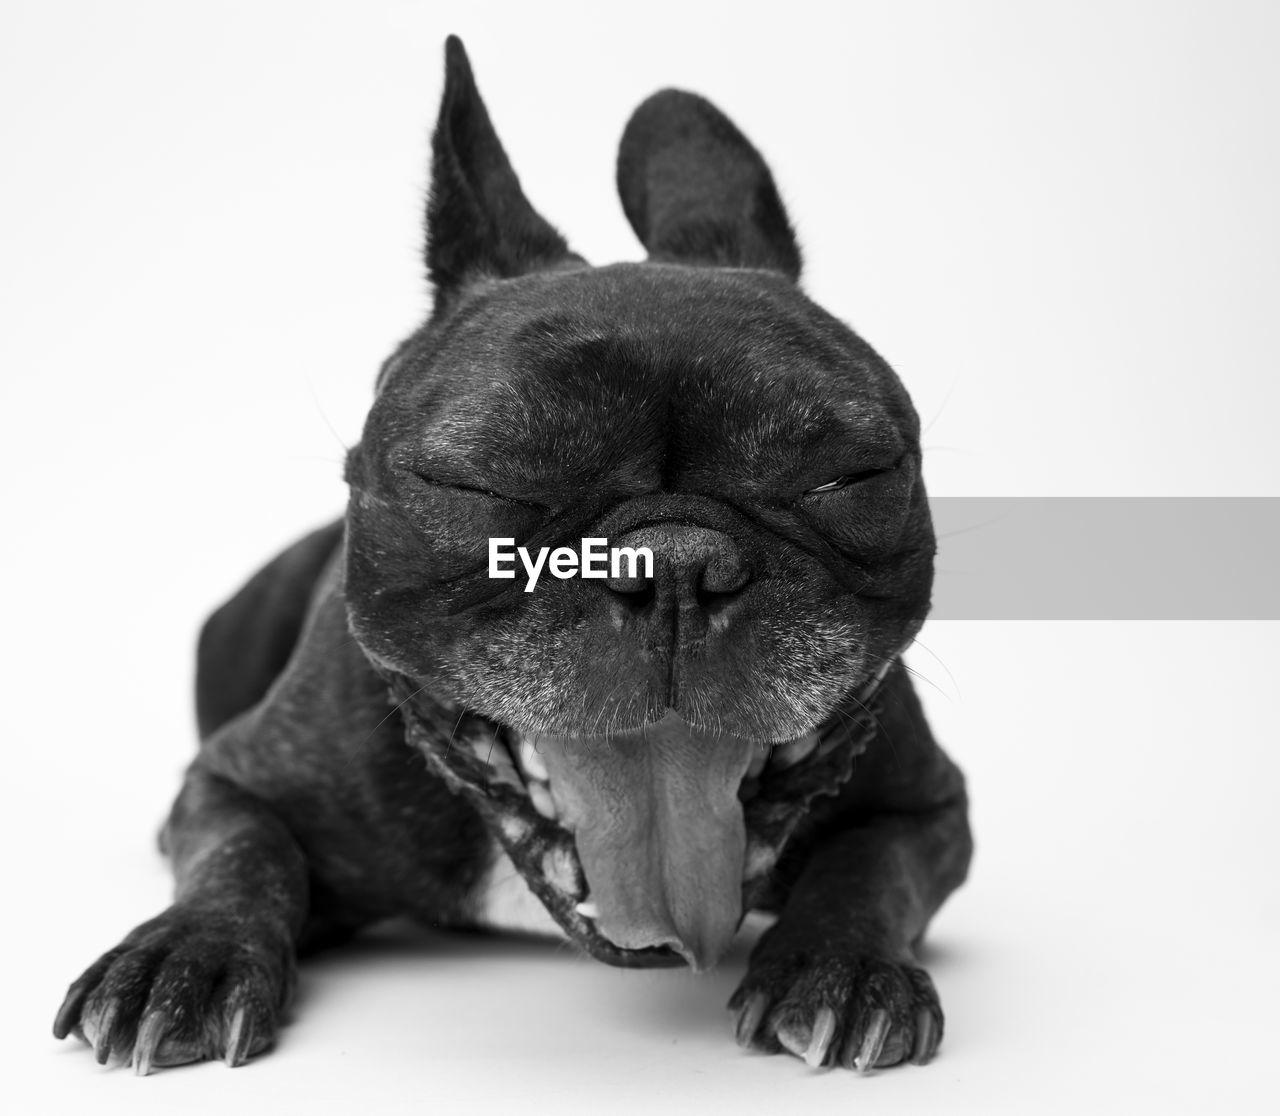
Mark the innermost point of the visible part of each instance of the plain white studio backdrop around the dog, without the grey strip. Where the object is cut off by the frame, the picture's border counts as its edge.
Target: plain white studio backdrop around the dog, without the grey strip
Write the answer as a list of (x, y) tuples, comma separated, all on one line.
[(1057, 221)]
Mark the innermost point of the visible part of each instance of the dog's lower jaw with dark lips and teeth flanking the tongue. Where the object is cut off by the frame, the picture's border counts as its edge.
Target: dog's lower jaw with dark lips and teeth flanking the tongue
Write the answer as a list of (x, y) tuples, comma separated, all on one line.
[(502, 775)]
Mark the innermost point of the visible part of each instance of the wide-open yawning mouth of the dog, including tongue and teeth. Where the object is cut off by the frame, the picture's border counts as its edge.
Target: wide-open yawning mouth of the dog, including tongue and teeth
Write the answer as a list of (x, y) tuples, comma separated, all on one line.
[(648, 847)]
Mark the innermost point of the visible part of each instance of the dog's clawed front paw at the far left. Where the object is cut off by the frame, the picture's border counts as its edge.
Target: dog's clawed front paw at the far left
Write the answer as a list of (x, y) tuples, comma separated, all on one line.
[(184, 987)]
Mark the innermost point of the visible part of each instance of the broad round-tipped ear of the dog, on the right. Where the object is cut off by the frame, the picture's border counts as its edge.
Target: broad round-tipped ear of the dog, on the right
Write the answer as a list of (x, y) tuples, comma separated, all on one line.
[(698, 193)]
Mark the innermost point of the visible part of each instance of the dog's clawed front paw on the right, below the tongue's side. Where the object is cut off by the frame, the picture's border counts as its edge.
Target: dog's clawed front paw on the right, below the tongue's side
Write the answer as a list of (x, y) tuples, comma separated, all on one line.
[(858, 1013)]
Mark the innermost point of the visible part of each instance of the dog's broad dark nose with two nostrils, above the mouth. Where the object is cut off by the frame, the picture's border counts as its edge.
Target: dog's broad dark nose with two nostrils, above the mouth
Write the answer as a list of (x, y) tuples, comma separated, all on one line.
[(693, 569)]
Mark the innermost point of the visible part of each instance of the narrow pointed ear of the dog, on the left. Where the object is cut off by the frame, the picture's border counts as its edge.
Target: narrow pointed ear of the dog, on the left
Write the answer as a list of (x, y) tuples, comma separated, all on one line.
[(479, 222)]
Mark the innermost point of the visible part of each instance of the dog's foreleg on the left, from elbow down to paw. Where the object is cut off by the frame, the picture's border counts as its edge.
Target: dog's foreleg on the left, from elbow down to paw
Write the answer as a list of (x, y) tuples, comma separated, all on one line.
[(211, 976)]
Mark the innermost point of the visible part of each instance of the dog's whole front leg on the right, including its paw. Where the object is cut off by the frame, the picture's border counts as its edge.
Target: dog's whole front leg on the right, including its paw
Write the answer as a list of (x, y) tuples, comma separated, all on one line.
[(836, 980)]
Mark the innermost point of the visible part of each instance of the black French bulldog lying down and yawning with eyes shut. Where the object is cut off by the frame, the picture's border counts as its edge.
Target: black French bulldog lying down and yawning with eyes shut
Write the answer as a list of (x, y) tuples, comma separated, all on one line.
[(386, 728)]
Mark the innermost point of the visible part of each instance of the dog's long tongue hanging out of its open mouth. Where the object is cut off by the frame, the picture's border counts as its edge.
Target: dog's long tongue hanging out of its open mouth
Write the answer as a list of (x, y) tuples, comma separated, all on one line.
[(660, 833)]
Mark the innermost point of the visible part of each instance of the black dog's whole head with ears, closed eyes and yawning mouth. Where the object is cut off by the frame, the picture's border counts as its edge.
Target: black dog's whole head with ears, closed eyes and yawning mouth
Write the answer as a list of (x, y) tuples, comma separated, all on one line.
[(698, 406)]
